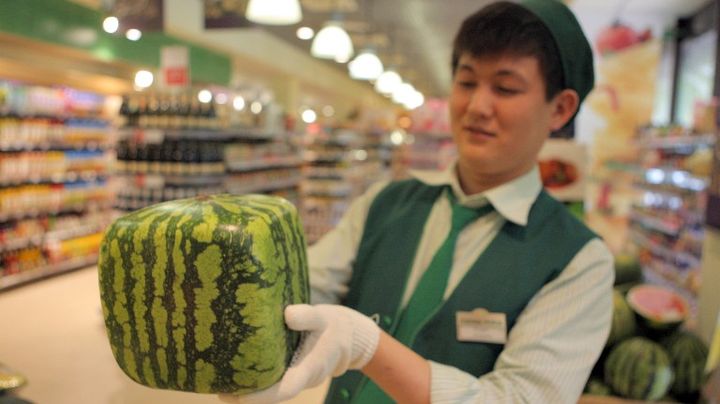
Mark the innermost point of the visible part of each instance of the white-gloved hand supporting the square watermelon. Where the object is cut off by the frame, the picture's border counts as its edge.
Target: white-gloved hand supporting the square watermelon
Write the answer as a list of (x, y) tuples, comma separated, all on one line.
[(337, 338)]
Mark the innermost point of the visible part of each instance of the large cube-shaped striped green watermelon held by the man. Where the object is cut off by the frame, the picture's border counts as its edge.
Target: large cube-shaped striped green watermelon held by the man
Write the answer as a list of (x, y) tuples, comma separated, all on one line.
[(193, 292)]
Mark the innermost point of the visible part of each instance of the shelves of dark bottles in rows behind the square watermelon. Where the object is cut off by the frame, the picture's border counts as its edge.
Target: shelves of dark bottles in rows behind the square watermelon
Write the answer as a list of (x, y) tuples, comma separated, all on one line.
[(174, 147)]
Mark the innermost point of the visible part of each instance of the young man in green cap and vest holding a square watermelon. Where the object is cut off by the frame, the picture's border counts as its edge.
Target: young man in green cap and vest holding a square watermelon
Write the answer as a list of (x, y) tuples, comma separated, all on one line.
[(472, 284)]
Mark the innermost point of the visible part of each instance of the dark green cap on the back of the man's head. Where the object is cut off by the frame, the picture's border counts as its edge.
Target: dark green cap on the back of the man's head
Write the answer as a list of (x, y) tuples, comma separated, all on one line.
[(575, 52)]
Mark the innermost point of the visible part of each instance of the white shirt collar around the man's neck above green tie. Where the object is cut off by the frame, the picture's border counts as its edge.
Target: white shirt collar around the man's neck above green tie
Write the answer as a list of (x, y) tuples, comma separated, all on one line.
[(512, 200)]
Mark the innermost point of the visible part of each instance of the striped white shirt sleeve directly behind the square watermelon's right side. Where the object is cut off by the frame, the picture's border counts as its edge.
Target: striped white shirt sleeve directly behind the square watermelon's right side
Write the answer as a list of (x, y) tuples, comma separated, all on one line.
[(331, 258)]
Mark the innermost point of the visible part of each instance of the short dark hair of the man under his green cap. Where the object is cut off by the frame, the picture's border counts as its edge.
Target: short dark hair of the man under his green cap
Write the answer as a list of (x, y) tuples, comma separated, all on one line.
[(504, 28)]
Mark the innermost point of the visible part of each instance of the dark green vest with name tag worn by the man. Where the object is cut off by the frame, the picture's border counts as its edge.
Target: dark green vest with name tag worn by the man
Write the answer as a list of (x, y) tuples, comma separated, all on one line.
[(513, 268)]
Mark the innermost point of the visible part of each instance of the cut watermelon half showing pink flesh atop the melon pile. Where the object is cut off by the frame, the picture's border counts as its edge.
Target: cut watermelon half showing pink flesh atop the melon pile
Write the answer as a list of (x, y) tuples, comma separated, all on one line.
[(658, 308)]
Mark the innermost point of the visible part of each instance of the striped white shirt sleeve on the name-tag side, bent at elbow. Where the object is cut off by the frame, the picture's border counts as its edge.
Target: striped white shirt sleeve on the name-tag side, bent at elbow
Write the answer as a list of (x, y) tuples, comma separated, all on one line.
[(554, 344)]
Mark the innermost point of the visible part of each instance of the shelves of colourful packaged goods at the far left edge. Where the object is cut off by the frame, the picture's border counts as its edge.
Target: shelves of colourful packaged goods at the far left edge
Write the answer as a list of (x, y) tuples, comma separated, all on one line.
[(56, 190)]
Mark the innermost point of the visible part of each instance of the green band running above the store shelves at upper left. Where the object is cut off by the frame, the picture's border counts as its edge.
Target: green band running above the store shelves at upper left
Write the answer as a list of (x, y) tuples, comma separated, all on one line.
[(69, 24)]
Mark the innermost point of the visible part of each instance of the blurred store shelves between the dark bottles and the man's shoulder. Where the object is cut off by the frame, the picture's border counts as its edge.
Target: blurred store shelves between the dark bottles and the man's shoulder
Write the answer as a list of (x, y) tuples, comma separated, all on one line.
[(338, 166)]
